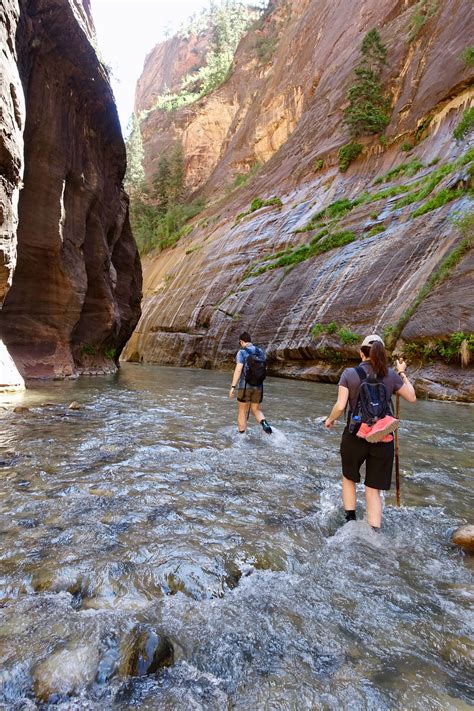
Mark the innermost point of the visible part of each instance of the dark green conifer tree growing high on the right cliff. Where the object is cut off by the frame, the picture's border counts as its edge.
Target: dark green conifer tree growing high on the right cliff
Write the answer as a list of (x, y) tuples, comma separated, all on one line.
[(368, 111)]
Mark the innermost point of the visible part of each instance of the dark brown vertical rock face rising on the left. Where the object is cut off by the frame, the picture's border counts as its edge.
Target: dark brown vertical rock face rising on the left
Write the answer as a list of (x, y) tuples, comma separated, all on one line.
[(75, 293)]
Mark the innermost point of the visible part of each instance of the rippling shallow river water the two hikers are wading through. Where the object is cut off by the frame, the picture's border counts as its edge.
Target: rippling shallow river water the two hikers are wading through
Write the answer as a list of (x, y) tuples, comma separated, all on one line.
[(146, 508)]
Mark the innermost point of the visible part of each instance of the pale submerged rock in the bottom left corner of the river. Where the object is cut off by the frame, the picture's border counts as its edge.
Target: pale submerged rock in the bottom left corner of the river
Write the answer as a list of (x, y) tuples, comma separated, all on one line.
[(66, 671)]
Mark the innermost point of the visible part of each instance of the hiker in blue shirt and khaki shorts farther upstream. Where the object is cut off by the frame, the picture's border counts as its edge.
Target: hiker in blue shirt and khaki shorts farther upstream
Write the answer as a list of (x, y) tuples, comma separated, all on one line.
[(247, 379)]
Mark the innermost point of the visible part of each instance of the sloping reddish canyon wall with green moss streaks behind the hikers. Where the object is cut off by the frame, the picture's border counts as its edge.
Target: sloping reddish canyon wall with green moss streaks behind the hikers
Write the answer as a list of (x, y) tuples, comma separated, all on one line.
[(380, 263)]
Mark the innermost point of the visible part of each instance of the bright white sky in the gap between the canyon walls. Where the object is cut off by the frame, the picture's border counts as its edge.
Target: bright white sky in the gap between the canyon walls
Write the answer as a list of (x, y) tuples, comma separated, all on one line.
[(127, 30)]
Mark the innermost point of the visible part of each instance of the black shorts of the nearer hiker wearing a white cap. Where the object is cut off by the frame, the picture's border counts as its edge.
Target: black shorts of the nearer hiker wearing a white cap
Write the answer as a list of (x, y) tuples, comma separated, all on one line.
[(378, 460)]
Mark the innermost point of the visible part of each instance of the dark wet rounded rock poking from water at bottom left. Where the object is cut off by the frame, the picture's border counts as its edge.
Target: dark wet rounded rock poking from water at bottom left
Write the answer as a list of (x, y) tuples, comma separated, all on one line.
[(144, 651)]
